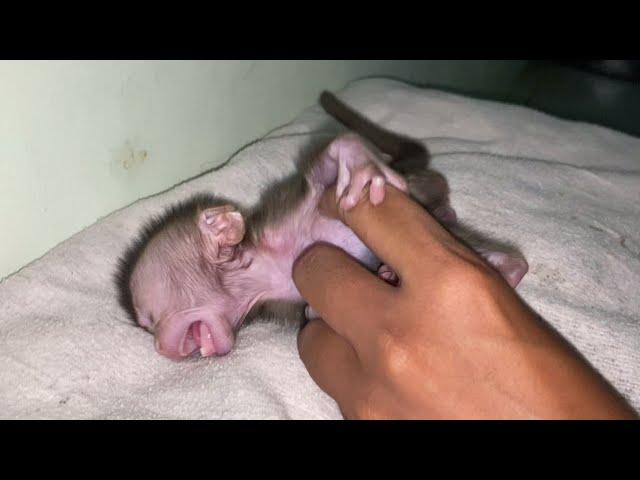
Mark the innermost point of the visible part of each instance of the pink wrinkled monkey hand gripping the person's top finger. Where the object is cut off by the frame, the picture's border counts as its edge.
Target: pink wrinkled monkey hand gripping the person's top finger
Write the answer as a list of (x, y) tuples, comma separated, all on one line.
[(353, 164)]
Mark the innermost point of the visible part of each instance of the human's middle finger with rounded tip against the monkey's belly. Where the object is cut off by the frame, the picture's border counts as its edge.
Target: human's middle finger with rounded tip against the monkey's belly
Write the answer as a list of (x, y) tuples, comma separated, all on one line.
[(351, 299)]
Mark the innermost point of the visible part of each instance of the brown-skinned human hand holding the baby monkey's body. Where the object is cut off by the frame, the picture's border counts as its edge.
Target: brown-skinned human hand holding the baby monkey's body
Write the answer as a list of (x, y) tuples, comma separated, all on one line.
[(453, 340)]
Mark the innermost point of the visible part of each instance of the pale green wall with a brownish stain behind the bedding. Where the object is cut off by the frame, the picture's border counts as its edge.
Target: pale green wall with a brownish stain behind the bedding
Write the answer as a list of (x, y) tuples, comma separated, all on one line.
[(79, 139)]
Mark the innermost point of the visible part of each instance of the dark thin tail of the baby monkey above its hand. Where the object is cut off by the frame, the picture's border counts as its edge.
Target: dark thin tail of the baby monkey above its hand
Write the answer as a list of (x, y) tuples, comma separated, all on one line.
[(408, 155)]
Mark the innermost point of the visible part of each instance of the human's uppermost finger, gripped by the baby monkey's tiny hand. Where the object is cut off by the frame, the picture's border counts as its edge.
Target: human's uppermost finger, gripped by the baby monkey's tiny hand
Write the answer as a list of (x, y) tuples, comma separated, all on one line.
[(399, 231)]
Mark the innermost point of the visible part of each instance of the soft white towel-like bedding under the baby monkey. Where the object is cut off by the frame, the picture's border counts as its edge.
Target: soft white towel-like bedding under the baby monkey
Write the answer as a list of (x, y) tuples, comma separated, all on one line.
[(568, 193)]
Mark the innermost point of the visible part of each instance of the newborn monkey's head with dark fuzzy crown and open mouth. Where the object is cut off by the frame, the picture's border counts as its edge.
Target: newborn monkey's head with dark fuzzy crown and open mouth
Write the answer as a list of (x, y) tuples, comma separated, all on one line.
[(182, 280)]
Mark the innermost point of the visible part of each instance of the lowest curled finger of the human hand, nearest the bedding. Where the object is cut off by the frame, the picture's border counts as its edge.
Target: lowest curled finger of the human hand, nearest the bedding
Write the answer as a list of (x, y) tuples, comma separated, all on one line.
[(332, 363)]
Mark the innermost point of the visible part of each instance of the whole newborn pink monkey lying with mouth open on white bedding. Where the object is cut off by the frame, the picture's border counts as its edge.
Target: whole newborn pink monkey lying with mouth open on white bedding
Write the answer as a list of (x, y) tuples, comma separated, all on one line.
[(196, 273)]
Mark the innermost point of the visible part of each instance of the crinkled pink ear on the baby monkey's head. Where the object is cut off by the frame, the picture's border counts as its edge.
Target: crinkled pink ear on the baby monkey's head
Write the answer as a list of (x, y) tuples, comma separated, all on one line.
[(221, 227)]
